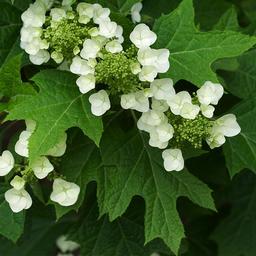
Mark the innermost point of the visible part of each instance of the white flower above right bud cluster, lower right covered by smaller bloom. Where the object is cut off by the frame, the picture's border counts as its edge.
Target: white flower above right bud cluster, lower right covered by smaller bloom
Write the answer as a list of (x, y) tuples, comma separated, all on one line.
[(177, 102)]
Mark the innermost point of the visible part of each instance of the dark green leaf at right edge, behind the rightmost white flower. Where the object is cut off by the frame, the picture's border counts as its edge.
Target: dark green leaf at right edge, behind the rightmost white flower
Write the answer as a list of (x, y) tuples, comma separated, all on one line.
[(240, 151)]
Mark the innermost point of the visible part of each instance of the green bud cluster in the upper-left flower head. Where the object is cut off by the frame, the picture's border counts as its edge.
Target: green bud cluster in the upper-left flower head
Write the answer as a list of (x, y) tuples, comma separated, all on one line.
[(66, 36)]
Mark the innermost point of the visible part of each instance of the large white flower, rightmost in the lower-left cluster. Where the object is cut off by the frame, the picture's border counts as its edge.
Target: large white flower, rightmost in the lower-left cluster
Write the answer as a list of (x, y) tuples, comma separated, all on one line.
[(64, 193)]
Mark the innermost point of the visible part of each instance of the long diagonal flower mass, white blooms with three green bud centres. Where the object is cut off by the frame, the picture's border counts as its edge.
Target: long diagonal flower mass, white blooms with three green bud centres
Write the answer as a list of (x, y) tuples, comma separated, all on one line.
[(90, 44)]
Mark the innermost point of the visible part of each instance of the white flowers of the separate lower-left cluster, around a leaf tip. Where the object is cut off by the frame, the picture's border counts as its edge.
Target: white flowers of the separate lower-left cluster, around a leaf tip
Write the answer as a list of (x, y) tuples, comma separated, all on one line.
[(65, 193)]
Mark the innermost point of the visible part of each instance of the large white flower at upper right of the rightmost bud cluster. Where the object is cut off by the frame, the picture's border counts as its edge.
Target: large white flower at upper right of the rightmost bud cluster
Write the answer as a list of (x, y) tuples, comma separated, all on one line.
[(210, 93)]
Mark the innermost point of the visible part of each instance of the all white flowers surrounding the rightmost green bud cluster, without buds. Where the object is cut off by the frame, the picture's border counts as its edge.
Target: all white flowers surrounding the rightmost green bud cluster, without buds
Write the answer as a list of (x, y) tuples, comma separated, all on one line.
[(164, 98)]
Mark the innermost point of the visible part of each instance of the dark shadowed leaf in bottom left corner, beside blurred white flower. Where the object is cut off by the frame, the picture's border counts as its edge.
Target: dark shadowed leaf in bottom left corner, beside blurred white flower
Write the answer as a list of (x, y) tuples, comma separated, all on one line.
[(40, 234)]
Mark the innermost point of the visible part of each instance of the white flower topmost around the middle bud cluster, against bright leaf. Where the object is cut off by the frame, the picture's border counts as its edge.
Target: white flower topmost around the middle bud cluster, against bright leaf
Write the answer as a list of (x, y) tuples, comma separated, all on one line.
[(142, 36)]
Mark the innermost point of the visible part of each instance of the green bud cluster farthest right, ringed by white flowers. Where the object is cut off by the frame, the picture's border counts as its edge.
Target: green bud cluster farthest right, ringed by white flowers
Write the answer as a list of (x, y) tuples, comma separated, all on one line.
[(190, 131)]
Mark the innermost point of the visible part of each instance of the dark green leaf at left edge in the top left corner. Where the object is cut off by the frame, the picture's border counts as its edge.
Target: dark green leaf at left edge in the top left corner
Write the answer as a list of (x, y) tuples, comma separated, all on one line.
[(10, 24)]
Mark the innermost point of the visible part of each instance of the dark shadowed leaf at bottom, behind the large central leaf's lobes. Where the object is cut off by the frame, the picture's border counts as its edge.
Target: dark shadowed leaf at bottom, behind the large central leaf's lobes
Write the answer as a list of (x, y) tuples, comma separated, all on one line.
[(124, 236)]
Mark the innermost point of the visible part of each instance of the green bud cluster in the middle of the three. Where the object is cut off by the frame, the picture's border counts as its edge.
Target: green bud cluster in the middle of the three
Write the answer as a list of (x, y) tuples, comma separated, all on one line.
[(114, 70)]
